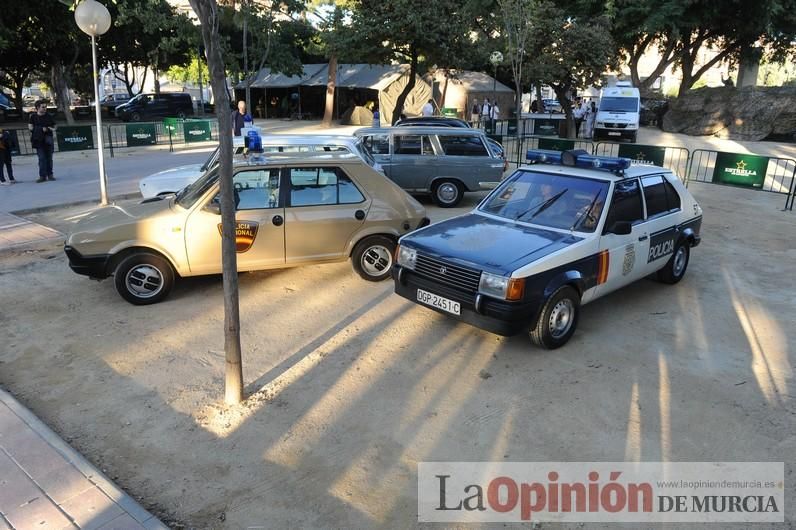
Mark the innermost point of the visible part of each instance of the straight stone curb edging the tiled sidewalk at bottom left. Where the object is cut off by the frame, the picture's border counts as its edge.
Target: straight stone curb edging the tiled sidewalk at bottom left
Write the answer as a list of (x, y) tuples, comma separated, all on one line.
[(127, 503)]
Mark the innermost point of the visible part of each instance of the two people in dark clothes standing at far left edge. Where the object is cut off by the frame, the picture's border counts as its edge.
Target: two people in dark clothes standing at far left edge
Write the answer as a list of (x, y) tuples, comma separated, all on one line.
[(41, 125)]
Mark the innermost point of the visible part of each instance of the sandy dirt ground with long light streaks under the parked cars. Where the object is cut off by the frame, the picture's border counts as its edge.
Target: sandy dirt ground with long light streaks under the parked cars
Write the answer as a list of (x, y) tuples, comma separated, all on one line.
[(351, 386)]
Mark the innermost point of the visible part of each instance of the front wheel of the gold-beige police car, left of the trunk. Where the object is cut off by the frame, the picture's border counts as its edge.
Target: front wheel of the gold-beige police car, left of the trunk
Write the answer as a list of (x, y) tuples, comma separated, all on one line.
[(143, 278)]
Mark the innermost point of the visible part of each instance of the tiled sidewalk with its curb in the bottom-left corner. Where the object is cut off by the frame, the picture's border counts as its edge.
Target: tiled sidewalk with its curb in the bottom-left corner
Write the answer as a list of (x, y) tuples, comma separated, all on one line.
[(44, 483)]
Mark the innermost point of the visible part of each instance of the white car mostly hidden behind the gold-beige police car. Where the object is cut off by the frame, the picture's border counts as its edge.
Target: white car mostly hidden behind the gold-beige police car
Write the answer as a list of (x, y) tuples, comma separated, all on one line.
[(174, 179)]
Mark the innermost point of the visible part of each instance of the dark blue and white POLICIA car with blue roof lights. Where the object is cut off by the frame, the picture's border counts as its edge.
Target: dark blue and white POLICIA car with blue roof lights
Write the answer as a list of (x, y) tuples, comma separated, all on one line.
[(558, 233)]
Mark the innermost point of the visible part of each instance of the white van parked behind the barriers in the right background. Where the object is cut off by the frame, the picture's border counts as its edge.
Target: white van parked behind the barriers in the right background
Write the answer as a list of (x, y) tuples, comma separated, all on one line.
[(618, 112)]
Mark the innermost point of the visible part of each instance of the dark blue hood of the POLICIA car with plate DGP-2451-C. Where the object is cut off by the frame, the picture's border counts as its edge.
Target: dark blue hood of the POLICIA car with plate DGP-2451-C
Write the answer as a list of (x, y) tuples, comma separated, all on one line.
[(480, 242)]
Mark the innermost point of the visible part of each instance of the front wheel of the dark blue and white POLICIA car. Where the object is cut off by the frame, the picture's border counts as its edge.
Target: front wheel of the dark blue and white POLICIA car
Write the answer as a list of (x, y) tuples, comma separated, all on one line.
[(557, 320)]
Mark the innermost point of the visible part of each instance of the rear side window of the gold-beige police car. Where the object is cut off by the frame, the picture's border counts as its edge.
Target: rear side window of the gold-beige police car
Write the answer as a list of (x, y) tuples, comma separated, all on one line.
[(322, 186)]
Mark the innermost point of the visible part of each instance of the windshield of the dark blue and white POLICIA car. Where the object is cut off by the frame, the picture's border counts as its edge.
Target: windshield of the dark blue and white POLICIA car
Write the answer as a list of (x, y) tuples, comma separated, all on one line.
[(555, 201)]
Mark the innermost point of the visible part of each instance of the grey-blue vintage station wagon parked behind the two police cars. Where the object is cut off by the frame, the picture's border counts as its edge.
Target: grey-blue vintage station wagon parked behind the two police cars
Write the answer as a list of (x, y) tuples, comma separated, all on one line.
[(442, 161)]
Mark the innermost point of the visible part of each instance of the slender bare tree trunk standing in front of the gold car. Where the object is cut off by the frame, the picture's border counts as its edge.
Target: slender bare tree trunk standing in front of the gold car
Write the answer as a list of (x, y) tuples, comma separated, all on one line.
[(207, 11)]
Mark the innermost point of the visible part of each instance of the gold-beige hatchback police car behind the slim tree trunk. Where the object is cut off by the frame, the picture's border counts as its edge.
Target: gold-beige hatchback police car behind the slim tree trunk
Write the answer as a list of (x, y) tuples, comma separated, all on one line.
[(316, 208)]
